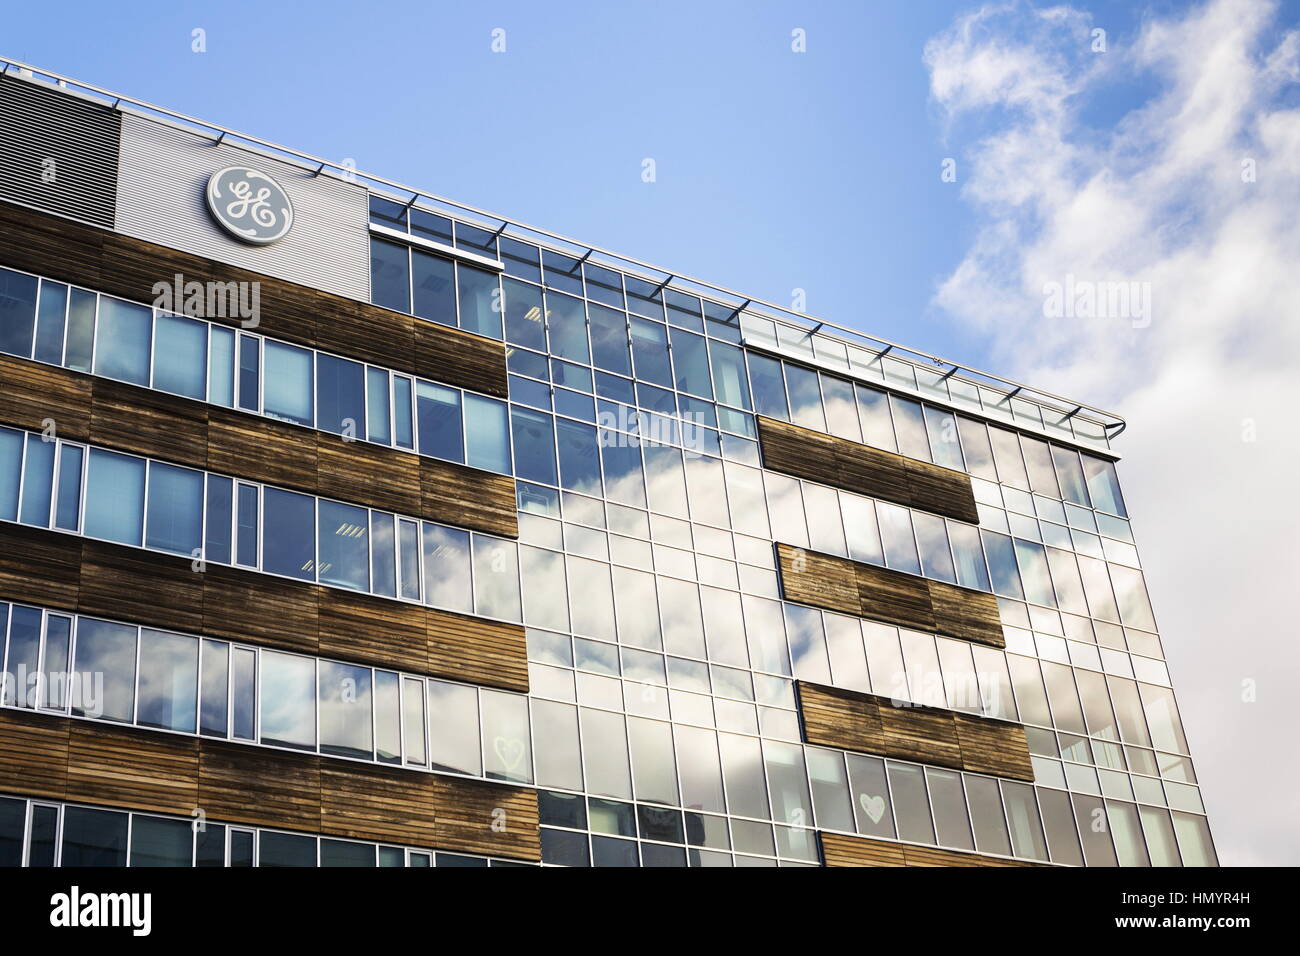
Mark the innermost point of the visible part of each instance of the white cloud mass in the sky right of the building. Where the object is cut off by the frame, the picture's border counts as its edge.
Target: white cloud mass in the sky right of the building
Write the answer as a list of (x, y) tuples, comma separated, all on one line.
[(1159, 197)]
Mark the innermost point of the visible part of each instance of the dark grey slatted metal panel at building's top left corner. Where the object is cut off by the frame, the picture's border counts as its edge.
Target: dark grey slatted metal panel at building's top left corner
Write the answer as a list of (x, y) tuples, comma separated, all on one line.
[(58, 152)]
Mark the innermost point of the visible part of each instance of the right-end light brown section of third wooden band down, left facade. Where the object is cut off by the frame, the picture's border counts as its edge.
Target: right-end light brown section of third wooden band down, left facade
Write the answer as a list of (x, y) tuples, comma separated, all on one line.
[(478, 651)]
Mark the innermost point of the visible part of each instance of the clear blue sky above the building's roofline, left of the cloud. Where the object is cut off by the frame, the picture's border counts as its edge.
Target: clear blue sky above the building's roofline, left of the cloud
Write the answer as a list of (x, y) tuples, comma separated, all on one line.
[(775, 171)]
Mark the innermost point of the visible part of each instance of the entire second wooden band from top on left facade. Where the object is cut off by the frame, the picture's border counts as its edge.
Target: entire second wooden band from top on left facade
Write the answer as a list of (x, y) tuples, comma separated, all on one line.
[(149, 423)]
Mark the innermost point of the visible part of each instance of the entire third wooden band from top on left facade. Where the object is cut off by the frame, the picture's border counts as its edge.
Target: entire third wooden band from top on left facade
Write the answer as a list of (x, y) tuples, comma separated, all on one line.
[(154, 590)]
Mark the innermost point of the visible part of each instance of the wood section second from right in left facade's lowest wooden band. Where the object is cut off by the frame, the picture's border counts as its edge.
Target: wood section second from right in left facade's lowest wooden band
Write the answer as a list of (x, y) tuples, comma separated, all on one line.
[(382, 804)]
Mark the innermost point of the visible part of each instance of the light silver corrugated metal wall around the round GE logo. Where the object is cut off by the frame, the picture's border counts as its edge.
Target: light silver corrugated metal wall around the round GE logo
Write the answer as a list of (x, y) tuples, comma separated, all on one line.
[(161, 198)]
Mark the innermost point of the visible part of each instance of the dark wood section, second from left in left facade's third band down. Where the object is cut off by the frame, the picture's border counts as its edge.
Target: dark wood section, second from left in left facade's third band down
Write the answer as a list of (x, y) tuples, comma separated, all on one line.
[(141, 587)]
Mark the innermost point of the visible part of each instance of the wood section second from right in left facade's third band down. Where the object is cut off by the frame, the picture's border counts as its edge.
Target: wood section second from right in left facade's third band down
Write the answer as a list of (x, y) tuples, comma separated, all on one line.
[(371, 630)]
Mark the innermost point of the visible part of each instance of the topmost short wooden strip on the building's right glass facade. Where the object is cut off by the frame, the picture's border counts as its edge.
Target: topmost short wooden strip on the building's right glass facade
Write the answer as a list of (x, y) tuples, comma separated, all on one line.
[(865, 470)]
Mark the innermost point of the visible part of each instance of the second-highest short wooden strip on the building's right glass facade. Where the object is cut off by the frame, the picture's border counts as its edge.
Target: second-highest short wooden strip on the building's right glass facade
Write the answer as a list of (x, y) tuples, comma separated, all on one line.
[(839, 585)]
